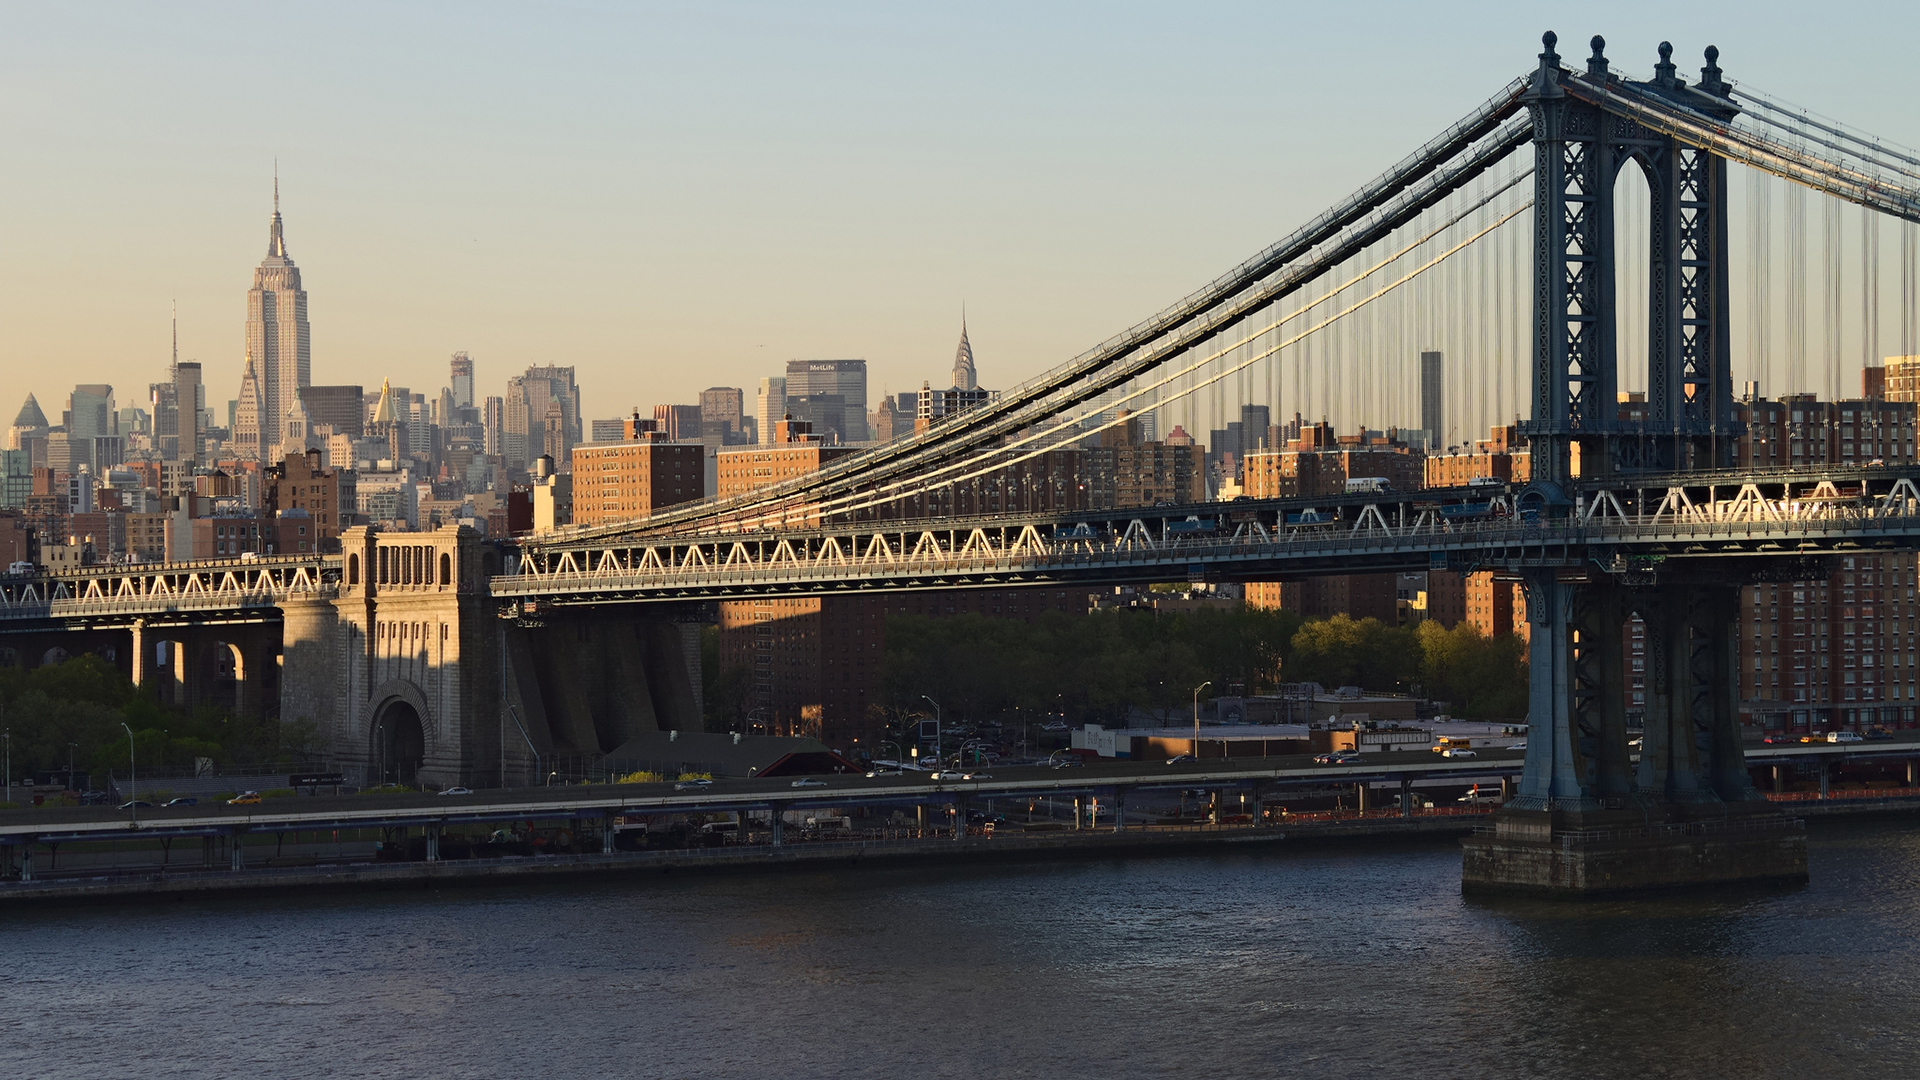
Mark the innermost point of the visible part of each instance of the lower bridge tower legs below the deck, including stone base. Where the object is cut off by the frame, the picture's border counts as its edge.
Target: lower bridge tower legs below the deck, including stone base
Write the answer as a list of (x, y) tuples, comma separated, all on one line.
[(1596, 816)]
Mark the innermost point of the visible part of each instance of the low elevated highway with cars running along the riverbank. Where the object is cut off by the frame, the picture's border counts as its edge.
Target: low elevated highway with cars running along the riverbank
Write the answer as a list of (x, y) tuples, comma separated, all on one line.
[(600, 802)]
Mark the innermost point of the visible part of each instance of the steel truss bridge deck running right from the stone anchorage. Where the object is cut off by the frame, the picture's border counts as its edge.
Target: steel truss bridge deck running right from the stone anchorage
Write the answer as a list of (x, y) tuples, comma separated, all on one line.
[(1616, 526)]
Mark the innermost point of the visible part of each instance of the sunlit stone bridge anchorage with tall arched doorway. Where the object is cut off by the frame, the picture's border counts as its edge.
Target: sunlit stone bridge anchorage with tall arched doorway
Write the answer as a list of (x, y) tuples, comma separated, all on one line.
[(416, 675)]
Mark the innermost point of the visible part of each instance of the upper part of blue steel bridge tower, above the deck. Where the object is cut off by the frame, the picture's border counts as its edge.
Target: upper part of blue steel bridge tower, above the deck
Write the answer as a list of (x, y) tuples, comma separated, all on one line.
[(1579, 153)]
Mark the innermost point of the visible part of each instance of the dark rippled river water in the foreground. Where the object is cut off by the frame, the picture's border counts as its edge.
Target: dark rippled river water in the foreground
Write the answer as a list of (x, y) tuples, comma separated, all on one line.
[(1255, 964)]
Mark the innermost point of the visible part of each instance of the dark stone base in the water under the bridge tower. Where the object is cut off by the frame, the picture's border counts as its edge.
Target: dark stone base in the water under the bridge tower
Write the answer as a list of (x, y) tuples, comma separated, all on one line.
[(1633, 850)]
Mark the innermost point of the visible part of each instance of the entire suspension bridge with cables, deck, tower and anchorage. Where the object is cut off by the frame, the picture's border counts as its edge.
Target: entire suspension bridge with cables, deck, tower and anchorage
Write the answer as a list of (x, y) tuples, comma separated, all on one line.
[(1573, 232)]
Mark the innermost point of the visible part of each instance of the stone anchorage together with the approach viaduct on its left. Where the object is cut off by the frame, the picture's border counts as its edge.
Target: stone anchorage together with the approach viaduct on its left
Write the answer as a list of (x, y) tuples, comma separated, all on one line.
[(395, 650)]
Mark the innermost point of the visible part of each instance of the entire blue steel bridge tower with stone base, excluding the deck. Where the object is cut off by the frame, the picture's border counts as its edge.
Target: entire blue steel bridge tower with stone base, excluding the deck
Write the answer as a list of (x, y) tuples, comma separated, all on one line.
[(1591, 818)]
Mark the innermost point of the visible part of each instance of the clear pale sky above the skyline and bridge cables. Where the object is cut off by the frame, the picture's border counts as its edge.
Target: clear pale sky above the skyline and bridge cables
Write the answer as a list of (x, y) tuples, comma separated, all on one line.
[(675, 197)]
